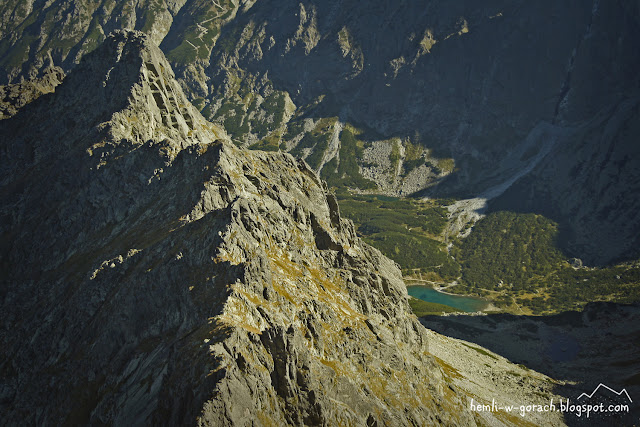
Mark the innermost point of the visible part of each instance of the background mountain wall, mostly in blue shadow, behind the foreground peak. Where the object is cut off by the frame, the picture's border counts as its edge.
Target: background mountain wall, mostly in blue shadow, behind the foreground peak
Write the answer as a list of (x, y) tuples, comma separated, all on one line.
[(540, 99)]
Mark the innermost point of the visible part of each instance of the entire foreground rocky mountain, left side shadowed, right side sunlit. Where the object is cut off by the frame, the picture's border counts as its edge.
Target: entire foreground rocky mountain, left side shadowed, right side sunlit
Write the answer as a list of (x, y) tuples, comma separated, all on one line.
[(153, 273)]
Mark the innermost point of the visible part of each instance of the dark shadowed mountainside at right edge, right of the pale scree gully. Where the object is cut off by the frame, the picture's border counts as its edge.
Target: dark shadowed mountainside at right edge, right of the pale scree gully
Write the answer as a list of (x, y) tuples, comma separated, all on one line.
[(590, 184)]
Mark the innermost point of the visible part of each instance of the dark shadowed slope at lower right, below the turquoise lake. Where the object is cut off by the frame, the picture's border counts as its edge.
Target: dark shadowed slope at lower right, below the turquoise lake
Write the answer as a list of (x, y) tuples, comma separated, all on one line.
[(598, 345)]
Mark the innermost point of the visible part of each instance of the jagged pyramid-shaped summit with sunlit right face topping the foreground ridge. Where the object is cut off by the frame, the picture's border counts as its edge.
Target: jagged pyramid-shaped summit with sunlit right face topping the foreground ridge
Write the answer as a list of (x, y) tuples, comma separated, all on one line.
[(130, 64)]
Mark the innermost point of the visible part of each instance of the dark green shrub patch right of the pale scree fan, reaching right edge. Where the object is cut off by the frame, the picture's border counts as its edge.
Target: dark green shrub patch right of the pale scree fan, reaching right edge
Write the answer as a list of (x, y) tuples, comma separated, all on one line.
[(513, 259)]
